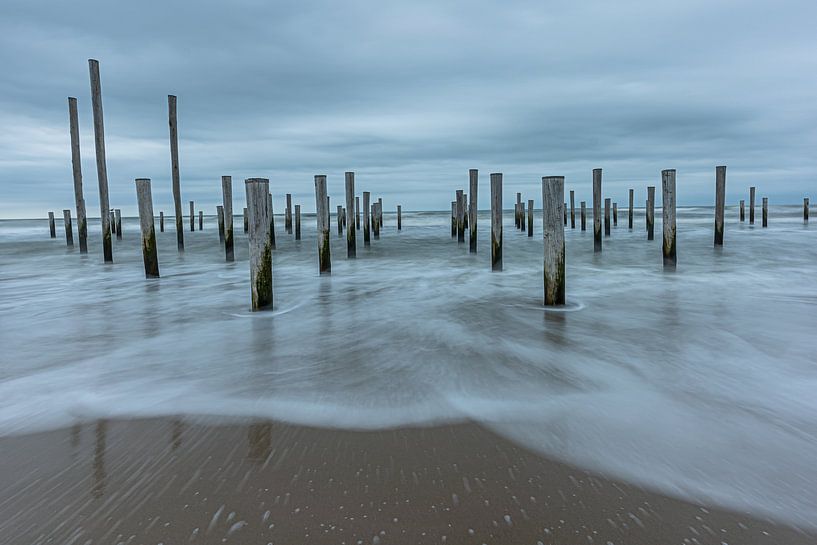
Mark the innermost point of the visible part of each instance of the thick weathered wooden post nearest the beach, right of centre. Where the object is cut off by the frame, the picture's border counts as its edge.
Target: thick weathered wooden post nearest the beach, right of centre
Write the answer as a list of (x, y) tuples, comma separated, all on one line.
[(553, 193)]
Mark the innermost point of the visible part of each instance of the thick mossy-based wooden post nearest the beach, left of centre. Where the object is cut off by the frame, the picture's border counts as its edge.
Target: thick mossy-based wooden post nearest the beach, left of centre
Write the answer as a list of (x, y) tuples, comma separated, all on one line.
[(259, 243)]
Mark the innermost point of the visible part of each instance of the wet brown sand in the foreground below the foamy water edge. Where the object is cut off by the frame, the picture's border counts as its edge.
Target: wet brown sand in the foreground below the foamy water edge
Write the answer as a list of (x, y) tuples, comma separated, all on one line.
[(186, 481)]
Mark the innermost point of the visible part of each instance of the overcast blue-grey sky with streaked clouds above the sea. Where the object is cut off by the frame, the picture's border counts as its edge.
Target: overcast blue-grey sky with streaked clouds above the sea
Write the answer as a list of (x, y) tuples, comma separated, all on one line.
[(410, 95)]
